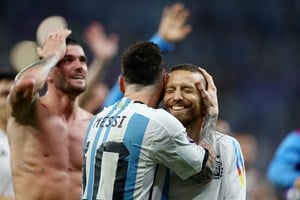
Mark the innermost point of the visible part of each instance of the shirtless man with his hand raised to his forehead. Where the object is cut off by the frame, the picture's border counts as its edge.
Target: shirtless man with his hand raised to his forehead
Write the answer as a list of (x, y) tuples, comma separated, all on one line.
[(46, 132)]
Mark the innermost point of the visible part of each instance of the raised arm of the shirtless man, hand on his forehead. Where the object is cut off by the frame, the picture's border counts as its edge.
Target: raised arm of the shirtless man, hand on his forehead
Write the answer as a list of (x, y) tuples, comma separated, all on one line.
[(31, 80)]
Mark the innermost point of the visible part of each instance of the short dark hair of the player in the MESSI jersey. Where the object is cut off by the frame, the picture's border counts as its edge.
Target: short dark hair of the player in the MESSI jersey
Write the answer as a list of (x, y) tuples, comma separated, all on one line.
[(142, 63)]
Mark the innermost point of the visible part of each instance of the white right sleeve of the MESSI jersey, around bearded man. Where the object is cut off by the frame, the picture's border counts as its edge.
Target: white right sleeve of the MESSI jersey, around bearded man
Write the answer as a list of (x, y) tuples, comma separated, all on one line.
[(171, 147)]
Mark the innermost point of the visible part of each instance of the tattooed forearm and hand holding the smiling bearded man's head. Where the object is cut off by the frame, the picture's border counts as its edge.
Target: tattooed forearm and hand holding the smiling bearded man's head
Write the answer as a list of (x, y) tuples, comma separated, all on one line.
[(207, 140)]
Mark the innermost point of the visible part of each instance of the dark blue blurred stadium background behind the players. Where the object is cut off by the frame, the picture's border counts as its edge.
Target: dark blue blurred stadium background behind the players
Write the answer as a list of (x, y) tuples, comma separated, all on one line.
[(250, 47)]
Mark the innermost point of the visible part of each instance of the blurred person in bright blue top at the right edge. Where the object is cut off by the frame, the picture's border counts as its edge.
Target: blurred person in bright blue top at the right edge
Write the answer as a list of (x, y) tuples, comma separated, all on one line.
[(284, 168)]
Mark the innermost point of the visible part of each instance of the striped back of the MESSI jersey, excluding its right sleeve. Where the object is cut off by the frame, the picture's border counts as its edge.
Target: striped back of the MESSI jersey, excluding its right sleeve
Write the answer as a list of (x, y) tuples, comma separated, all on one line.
[(120, 152)]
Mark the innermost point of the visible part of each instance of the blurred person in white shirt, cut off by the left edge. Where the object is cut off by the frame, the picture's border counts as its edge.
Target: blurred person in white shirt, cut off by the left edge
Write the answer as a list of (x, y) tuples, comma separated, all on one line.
[(6, 186)]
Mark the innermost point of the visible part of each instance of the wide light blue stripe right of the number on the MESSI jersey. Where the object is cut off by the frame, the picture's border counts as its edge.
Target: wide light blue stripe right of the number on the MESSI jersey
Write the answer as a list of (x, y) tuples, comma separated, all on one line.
[(133, 140)]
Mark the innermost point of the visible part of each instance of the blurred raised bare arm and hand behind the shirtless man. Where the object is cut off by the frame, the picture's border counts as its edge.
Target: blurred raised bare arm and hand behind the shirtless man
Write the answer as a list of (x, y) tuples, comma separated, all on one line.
[(104, 48)]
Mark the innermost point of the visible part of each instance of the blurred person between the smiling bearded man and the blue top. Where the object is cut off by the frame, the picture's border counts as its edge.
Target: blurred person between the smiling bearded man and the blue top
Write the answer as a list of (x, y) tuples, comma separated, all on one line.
[(258, 187)]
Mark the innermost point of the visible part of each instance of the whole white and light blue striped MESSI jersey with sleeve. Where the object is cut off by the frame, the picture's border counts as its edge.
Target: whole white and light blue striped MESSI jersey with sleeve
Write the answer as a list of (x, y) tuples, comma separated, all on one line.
[(124, 146)]
